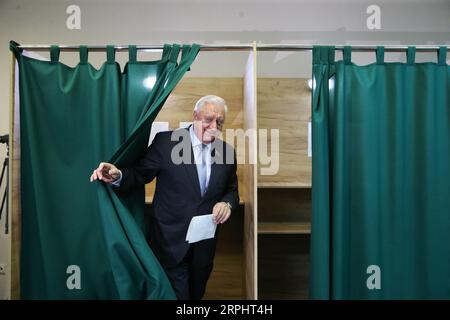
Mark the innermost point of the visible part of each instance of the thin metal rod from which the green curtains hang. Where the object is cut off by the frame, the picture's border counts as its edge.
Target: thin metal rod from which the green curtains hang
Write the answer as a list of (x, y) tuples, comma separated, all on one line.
[(240, 47)]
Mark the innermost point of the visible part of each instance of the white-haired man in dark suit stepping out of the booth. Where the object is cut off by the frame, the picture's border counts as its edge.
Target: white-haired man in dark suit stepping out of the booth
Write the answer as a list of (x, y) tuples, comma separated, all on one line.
[(196, 175)]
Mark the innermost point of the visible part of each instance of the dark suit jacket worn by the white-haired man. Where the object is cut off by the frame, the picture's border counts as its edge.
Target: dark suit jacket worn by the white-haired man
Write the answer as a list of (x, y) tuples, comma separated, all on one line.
[(177, 196)]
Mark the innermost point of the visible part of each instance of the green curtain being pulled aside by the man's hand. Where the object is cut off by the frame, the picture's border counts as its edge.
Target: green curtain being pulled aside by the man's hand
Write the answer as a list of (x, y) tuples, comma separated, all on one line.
[(72, 119)]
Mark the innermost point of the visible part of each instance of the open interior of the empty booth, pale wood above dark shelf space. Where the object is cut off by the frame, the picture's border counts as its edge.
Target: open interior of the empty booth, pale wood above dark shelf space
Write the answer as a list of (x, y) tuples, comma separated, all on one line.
[(284, 199)]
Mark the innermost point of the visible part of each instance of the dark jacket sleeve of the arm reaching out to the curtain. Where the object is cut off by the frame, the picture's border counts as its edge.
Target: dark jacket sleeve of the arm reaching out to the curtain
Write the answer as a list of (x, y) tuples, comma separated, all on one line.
[(144, 170)]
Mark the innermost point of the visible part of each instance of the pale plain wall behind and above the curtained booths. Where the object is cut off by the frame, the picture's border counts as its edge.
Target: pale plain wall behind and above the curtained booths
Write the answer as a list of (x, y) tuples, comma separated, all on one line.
[(214, 21)]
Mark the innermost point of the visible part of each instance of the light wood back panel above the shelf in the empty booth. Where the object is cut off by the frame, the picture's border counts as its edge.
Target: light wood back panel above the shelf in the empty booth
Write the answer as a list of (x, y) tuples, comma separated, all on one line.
[(285, 104)]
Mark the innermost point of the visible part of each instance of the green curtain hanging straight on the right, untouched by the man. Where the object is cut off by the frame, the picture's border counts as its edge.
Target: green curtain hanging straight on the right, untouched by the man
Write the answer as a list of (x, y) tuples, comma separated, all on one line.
[(381, 178)]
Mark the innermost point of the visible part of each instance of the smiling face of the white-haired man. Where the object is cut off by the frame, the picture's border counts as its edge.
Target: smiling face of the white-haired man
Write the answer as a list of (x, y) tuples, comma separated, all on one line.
[(209, 122)]
